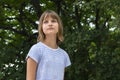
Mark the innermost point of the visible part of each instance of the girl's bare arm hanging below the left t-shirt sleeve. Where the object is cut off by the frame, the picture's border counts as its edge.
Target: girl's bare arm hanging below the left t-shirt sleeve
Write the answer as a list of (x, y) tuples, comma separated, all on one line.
[(31, 69)]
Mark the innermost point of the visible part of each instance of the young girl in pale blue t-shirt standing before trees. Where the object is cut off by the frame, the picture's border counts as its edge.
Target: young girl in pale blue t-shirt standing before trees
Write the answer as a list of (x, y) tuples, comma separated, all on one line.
[(46, 60)]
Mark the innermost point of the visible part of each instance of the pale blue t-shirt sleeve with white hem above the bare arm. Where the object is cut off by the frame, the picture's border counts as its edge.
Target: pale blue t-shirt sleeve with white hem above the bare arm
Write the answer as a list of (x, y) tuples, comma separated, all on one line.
[(34, 53)]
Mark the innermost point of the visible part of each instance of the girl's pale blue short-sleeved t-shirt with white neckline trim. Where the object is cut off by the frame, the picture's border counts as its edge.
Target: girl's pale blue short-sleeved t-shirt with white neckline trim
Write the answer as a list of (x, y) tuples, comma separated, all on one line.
[(51, 62)]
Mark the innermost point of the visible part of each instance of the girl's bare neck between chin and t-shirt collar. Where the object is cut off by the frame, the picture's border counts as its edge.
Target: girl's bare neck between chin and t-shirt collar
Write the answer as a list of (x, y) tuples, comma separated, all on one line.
[(51, 42)]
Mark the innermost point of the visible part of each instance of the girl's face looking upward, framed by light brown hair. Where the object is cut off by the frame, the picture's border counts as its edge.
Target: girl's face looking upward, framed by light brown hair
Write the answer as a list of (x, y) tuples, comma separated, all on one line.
[(50, 26)]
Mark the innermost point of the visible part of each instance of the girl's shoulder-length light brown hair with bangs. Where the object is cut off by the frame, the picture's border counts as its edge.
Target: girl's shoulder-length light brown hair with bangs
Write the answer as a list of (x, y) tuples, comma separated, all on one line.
[(54, 15)]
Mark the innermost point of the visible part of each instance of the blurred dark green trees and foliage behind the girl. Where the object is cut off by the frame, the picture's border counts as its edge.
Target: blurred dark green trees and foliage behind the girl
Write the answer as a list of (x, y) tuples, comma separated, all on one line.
[(91, 30)]
